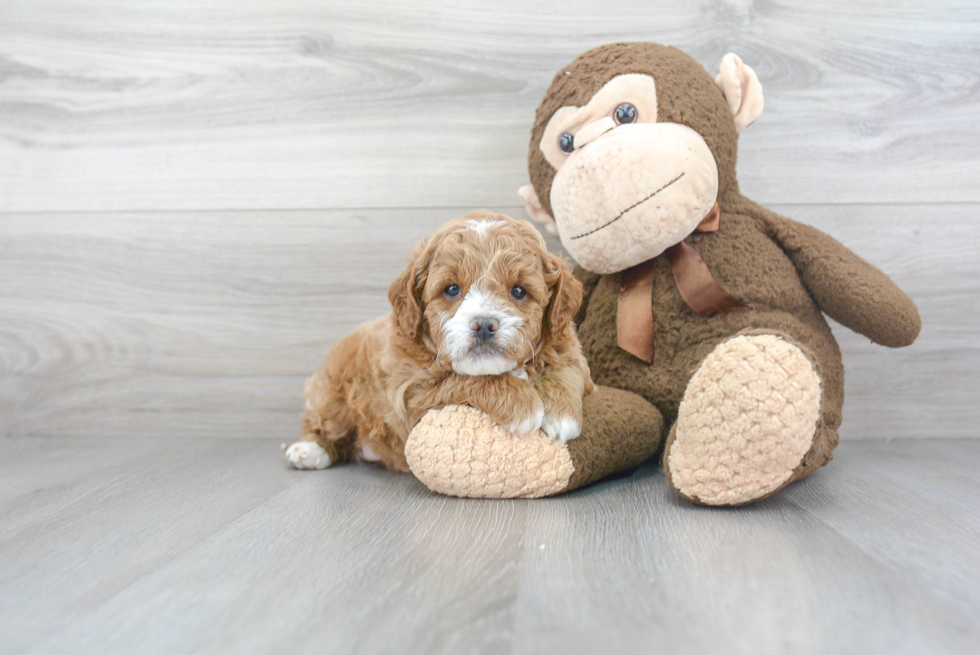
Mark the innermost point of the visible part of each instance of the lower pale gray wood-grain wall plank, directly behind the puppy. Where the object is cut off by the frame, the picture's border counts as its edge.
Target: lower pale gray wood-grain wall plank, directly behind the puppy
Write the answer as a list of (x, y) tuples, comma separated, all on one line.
[(207, 324)]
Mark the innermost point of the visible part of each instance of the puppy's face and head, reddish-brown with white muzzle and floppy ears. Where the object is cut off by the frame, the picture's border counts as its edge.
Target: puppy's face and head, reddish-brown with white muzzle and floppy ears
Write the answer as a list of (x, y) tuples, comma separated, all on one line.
[(484, 294)]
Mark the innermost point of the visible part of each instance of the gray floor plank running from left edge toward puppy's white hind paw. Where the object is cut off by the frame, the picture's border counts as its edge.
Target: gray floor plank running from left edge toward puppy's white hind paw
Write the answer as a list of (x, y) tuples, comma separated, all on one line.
[(130, 516)]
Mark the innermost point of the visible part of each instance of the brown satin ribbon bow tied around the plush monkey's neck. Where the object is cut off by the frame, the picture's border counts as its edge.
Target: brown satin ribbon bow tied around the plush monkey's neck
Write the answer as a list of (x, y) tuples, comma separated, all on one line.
[(635, 330)]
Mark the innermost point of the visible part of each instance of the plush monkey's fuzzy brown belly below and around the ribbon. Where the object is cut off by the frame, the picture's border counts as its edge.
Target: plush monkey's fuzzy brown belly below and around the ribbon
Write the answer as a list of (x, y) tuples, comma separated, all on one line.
[(683, 338)]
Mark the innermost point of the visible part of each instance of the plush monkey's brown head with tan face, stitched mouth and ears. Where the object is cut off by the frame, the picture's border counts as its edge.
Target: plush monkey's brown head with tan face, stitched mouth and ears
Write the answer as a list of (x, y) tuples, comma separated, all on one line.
[(631, 147)]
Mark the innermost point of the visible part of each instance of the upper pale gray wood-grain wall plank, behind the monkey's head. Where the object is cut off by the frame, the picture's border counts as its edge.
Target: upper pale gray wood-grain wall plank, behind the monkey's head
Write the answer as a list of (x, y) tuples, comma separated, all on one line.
[(276, 104)]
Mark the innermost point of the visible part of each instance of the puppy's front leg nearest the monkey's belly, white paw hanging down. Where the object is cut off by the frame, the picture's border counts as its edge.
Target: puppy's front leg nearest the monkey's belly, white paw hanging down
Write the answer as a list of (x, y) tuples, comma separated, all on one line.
[(561, 388)]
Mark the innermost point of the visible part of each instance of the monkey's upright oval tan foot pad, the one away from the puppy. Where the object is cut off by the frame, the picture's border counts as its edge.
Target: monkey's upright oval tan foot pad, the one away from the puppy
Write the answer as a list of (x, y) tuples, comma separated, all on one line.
[(748, 416)]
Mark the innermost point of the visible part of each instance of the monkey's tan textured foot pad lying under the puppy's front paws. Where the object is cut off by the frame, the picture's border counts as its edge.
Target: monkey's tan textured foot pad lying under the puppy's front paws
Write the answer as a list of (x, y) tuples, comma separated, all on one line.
[(460, 451)]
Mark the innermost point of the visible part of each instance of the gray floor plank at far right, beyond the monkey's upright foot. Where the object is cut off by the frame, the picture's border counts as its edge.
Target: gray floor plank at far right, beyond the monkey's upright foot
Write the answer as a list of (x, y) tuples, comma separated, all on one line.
[(909, 493)]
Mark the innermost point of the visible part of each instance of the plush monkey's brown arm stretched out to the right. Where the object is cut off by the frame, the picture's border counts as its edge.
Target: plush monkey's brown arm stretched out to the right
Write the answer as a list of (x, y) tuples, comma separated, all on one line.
[(848, 289)]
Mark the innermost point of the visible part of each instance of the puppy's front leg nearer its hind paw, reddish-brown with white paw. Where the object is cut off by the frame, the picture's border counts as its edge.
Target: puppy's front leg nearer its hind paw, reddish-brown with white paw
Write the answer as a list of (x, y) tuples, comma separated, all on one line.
[(510, 401)]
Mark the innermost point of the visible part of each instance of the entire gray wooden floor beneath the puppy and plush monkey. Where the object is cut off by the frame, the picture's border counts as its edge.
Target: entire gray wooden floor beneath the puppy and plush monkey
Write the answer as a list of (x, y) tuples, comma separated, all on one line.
[(171, 546)]
